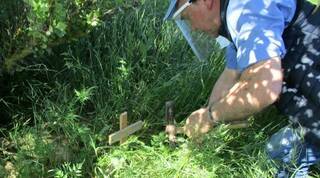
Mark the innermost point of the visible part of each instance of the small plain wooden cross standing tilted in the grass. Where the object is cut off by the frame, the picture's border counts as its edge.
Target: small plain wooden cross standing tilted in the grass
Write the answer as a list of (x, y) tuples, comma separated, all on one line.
[(125, 130)]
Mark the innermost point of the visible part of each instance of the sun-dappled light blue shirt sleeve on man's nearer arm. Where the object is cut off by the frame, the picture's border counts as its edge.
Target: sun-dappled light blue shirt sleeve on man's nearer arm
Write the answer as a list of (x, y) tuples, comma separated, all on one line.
[(258, 33)]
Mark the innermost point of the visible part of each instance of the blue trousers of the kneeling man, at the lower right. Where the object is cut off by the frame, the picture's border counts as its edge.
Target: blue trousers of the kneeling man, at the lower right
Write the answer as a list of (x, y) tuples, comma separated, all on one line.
[(291, 154)]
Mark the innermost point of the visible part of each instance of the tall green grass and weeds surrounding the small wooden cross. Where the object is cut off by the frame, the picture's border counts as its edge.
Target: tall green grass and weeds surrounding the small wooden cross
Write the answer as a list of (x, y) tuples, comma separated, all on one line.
[(63, 108)]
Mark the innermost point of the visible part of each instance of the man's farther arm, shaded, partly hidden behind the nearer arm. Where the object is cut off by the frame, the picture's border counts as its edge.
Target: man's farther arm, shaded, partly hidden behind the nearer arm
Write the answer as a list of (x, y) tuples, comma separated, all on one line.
[(226, 80)]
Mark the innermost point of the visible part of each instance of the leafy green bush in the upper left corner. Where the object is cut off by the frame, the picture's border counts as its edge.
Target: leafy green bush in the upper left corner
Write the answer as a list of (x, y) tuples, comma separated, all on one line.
[(35, 26)]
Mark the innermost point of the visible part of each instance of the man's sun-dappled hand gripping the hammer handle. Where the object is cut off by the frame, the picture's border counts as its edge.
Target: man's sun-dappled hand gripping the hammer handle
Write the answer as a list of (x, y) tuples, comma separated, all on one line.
[(198, 123)]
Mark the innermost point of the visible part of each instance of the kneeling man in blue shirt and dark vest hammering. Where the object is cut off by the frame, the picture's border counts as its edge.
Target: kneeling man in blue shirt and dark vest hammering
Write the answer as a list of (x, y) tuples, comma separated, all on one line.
[(274, 57)]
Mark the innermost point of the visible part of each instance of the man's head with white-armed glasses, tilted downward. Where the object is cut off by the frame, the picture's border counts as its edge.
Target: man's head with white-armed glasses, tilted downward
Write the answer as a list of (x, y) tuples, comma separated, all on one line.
[(202, 15)]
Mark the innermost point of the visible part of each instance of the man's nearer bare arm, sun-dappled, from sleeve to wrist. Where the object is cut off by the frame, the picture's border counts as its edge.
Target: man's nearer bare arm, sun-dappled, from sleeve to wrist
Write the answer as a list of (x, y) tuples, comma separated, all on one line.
[(258, 87)]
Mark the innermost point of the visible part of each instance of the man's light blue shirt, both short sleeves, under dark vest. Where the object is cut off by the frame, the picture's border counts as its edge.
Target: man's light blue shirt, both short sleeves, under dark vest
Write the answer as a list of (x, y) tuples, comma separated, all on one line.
[(256, 28)]
